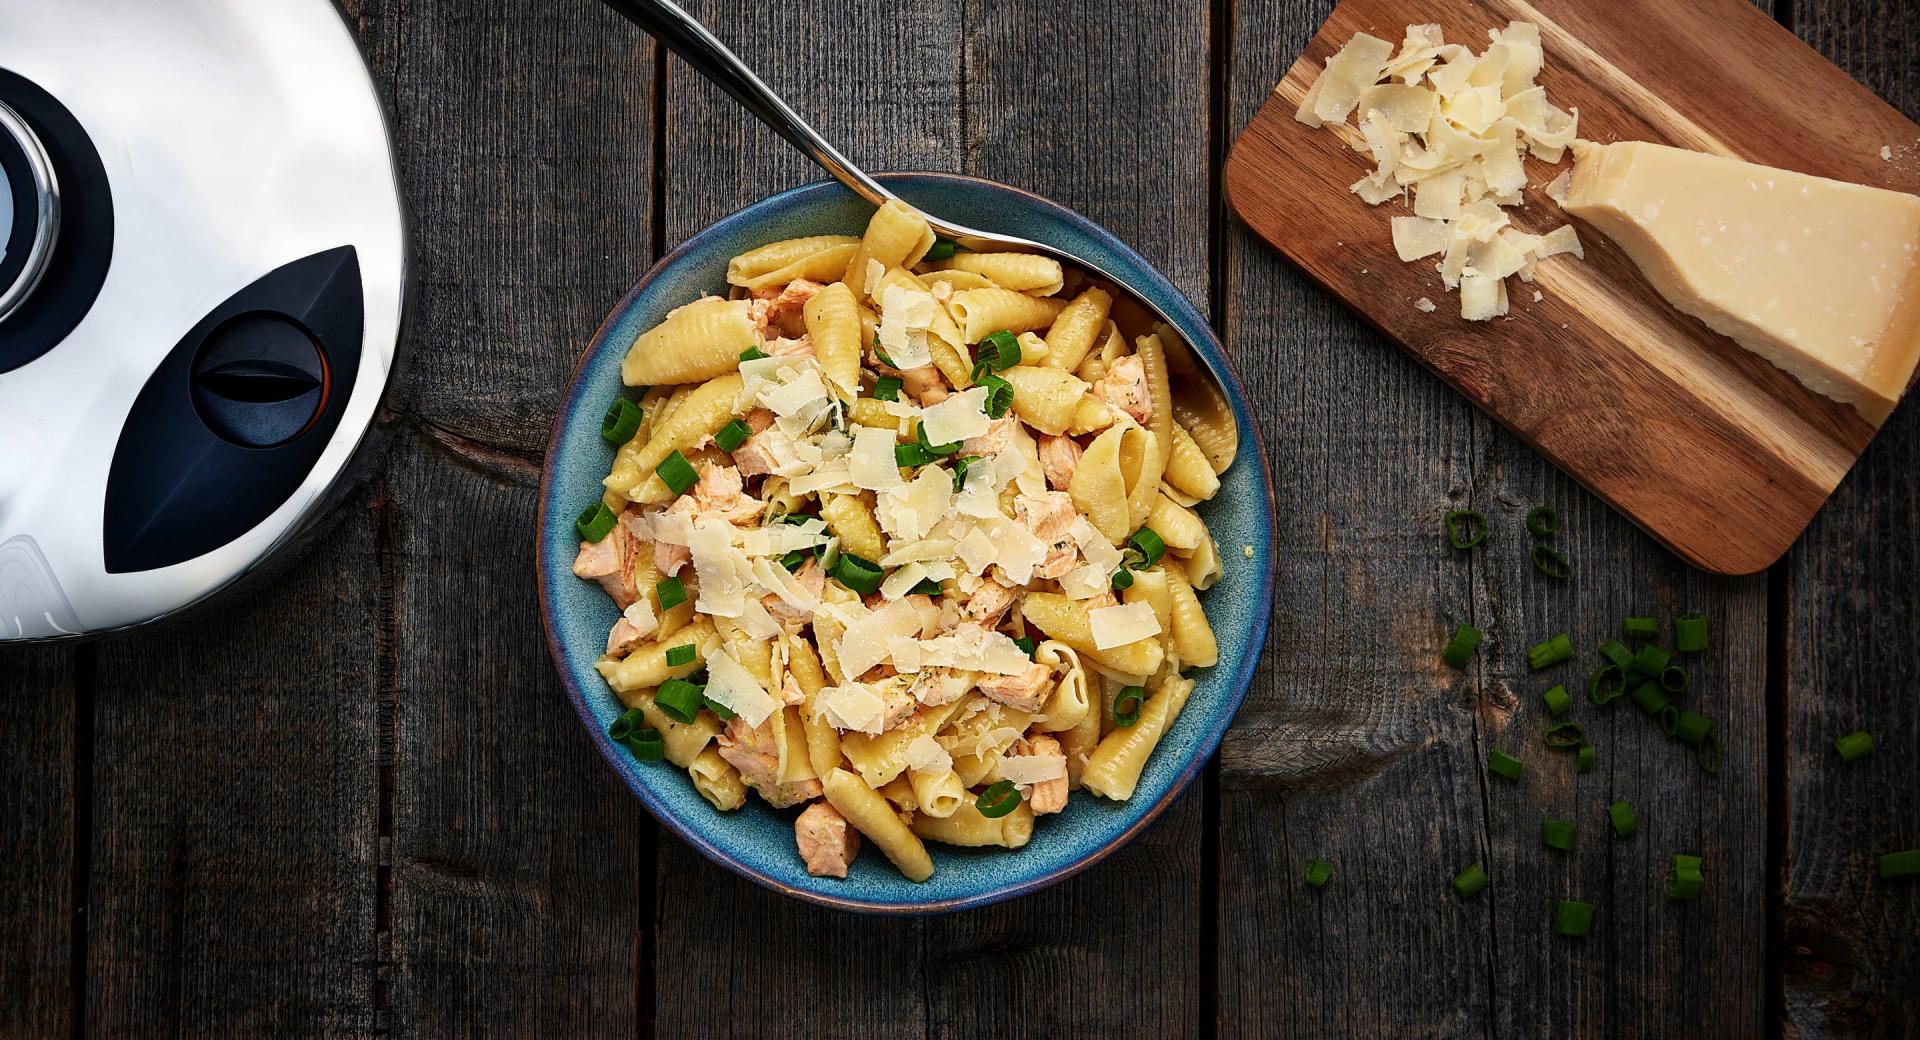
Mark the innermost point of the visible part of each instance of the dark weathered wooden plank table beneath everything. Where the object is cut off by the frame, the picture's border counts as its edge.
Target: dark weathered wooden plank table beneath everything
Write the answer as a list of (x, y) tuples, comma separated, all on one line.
[(360, 805)]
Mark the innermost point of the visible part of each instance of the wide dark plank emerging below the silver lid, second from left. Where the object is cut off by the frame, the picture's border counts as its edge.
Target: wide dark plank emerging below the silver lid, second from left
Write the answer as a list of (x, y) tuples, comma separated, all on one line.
[(233, 855)]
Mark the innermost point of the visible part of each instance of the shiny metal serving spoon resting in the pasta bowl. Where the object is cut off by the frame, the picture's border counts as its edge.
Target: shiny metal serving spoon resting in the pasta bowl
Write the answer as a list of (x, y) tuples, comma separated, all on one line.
[(1197, 389)]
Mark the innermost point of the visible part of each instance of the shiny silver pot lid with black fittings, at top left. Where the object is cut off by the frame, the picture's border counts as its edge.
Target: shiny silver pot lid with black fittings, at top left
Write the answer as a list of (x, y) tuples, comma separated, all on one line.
[(203, 281)]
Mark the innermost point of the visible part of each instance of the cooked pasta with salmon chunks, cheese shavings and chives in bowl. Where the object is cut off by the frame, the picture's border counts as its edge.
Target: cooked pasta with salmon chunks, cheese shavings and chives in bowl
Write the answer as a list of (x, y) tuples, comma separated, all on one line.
[(898, 538)]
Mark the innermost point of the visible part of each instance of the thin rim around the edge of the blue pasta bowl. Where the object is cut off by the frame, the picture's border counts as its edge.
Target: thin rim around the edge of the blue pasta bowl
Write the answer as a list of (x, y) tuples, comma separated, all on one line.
[(1211, 740)]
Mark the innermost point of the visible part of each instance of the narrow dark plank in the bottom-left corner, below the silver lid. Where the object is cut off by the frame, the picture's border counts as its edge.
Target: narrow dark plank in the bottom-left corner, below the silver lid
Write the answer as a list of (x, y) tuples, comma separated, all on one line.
[(37, 832)]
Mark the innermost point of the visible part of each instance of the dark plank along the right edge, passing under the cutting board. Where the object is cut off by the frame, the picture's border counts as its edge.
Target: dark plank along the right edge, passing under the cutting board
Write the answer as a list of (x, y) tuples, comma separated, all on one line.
[(1850, 964)]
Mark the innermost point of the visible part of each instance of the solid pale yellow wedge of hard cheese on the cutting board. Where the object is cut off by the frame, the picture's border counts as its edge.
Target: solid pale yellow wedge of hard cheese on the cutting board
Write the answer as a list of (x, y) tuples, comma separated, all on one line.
[(1819, 277)]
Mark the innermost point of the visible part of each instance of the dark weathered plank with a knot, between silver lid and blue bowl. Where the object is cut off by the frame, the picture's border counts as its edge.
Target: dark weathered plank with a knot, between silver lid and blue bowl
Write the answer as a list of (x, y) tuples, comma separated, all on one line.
[(521, 868)]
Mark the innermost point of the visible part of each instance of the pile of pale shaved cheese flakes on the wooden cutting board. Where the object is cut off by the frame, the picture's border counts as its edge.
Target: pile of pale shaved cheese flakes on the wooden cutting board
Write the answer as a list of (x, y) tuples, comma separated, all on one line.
[(1452, 128)]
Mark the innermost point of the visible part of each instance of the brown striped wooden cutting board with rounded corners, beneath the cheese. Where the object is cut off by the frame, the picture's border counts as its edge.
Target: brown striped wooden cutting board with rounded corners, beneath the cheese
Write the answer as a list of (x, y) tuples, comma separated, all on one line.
[(1712, 450)]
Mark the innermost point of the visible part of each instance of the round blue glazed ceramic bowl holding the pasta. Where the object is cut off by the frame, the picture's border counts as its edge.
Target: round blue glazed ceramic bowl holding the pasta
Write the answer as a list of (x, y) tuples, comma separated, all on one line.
[(757, 841)]
